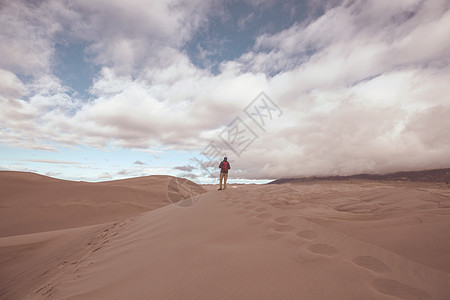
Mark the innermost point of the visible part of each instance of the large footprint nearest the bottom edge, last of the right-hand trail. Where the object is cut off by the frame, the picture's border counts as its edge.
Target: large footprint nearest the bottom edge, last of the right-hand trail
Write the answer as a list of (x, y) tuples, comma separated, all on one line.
[(397, 289)]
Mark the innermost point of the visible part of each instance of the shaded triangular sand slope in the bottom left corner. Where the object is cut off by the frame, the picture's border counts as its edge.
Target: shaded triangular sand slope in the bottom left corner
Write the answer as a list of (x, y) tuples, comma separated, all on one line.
[(27, 261)]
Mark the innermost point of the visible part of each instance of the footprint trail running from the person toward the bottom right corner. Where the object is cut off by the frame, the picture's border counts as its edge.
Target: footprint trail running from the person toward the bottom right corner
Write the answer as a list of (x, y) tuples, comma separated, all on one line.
[(311, 251)]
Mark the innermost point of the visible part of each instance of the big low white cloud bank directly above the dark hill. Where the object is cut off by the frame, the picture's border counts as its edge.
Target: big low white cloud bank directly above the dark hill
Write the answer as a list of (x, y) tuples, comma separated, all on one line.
[(396, 121)]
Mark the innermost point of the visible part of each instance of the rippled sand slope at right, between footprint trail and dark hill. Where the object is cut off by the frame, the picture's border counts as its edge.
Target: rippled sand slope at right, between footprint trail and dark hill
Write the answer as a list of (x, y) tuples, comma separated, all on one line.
[(411, 219)]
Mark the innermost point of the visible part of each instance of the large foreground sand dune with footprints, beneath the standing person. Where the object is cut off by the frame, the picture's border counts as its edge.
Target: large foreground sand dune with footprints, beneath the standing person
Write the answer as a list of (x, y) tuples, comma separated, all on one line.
[(254, 242)]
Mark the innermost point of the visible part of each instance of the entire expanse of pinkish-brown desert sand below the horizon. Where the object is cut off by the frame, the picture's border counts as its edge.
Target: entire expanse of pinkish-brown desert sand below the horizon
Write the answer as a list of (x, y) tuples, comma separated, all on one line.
[(352, 239)]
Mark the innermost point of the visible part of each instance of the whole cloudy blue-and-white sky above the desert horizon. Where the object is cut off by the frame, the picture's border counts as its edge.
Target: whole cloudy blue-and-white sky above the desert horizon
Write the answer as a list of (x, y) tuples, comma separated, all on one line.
[(101, 90)]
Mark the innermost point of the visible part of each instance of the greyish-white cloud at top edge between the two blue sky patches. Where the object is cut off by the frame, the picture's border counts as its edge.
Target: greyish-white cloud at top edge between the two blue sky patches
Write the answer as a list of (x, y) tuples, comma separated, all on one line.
[(130, 36)]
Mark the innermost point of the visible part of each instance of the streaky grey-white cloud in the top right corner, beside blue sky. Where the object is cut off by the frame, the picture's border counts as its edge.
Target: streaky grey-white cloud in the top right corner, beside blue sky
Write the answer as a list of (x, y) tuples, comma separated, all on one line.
[(361, 39)]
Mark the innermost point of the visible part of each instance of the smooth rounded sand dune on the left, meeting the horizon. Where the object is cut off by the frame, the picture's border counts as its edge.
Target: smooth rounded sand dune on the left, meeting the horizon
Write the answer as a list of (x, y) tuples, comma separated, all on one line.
[(34, 203)]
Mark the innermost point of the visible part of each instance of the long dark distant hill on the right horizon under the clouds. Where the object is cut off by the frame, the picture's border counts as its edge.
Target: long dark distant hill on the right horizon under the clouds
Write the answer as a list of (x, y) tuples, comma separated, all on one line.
[(438, 175)]
